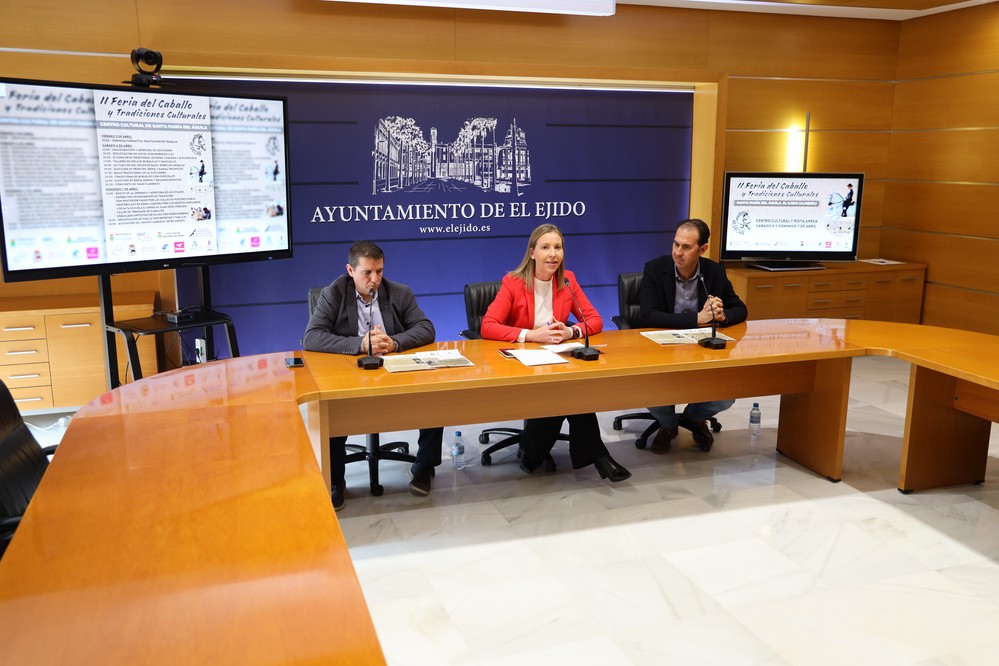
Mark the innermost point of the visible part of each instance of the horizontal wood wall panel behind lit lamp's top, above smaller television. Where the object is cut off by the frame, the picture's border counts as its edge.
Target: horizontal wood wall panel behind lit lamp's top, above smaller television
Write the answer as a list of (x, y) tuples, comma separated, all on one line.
[(834, 105)]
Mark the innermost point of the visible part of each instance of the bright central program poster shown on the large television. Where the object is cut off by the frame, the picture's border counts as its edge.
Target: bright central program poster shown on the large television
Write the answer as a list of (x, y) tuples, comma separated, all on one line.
[(157, 175)]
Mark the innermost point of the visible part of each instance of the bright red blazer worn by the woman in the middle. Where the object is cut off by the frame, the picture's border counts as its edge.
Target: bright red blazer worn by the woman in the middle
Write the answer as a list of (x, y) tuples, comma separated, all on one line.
[(513, 309)]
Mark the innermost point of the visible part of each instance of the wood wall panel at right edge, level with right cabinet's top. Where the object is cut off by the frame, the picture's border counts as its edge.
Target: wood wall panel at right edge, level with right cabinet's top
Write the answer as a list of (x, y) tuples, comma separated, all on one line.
[(951, 258)]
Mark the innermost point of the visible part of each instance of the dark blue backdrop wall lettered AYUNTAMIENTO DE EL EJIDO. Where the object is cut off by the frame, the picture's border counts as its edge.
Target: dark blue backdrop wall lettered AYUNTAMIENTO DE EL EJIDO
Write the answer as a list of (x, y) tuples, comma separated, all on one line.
[(450, 181)]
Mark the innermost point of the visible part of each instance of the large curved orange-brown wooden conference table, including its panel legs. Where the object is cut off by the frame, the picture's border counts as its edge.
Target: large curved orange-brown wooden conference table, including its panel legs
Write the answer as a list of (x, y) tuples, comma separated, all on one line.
[(185, 518)]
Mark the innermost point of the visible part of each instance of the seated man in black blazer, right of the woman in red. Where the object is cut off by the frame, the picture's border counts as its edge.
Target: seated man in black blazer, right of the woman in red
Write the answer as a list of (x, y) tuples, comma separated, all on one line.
[(684, 290)]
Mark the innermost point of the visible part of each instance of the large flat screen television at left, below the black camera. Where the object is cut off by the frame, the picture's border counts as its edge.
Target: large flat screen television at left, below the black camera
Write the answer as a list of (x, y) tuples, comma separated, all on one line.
[(96, 180)]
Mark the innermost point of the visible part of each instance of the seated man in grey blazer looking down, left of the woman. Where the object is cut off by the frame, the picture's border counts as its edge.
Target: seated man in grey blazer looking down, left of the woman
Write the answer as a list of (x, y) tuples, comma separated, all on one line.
[(340, 324)]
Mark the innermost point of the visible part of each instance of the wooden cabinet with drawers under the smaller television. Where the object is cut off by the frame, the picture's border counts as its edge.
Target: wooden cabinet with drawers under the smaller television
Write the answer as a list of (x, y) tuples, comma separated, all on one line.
[(855, 290)]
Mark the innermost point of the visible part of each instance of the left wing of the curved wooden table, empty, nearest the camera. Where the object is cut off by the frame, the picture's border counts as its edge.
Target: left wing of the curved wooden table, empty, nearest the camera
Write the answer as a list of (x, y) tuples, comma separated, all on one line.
[(184, 521)]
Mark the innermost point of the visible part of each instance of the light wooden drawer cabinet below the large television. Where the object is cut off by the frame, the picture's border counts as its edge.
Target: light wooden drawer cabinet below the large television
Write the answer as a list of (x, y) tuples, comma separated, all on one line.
[(52, 347)]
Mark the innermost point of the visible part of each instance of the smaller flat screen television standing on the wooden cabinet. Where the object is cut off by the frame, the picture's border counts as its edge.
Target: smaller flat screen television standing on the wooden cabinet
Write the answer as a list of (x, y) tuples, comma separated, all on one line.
[(791, 220)]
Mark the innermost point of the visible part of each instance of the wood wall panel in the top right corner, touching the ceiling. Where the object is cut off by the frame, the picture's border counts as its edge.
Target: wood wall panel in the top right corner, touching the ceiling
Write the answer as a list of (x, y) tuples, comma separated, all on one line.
[(966, 40)]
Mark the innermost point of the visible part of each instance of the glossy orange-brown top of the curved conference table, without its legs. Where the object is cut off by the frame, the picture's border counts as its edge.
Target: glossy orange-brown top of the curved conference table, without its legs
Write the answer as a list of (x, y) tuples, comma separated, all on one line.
[(185, 519)]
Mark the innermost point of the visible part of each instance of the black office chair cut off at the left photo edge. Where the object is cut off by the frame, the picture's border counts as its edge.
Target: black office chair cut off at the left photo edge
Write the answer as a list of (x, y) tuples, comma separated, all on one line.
[(22, 464)]
